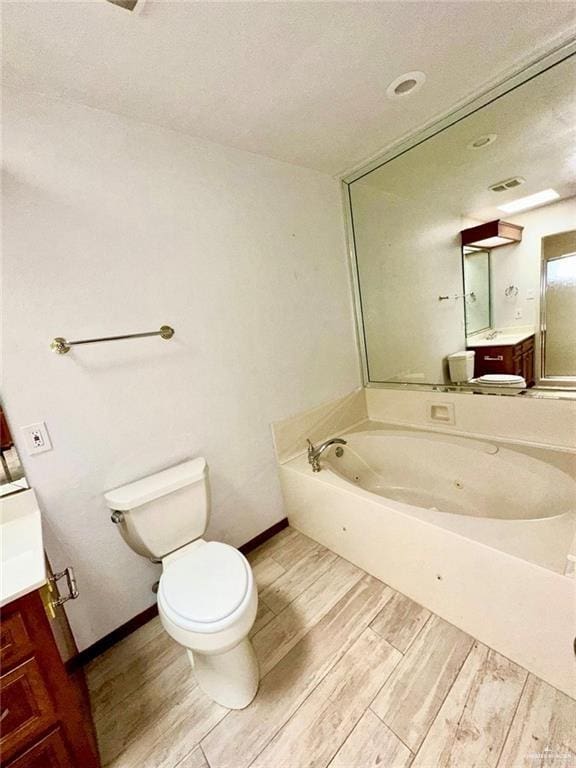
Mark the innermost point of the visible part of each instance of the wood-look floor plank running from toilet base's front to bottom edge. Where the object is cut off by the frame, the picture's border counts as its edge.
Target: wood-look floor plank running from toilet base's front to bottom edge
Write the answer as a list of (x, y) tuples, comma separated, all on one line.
[(165, 742)]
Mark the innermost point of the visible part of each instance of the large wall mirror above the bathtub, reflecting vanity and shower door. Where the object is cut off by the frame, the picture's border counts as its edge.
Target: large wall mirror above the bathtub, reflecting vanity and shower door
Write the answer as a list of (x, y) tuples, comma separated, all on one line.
[(465, 250)]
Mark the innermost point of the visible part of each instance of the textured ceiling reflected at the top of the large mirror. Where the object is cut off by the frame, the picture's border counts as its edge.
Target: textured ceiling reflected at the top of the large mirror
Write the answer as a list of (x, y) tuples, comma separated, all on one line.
[(535, 125)]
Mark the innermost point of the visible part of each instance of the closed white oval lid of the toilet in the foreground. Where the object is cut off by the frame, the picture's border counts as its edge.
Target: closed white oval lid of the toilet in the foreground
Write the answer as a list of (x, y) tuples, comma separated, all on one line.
[(207, 584)]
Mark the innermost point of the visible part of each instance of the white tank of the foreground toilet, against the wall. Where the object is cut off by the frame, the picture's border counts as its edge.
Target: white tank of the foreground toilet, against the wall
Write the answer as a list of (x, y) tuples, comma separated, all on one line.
[(164, 511)]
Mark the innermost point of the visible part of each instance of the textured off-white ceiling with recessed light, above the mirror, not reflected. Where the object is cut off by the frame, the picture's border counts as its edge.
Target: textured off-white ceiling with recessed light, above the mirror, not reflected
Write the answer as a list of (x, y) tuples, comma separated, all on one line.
[(302, 82)]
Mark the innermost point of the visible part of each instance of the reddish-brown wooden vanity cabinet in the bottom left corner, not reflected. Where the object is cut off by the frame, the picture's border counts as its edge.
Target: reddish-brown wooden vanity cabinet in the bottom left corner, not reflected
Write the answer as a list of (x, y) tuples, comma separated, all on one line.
[(45, 711)]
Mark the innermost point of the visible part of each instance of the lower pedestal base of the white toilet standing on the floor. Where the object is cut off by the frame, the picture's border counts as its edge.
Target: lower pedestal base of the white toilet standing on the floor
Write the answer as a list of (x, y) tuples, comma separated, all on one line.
[(230, 678)]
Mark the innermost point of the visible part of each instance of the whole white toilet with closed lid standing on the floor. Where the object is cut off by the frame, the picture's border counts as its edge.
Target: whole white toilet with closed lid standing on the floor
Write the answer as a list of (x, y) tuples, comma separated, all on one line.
[(207, 597)]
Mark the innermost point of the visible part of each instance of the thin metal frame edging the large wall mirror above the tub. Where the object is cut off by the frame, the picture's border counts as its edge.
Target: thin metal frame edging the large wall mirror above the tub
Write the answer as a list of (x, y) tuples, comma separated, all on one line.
[(543, 387)]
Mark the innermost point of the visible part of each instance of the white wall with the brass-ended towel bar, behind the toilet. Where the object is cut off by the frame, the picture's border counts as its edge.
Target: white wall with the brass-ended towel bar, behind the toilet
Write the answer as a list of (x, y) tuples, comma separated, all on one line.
[(113, 226)]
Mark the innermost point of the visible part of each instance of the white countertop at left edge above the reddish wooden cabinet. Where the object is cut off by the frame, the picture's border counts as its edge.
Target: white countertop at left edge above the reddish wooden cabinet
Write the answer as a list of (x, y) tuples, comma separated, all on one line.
[(21, 546)]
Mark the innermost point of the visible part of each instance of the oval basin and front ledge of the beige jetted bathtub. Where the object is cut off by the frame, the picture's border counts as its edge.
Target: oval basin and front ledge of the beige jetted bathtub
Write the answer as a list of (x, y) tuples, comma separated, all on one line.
[(483, 490)]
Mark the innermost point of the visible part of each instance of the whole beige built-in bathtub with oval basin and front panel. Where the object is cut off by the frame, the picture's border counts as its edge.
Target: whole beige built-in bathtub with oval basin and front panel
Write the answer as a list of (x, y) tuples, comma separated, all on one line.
[(481, 532)]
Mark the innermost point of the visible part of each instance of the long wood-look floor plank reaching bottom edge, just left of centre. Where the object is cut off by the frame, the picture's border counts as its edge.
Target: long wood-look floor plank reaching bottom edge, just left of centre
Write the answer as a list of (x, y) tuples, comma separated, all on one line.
[(317, 730)]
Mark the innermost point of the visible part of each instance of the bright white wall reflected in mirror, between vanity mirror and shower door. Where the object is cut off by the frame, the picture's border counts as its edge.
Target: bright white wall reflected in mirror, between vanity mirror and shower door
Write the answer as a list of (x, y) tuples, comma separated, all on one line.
[(519, 264)]
